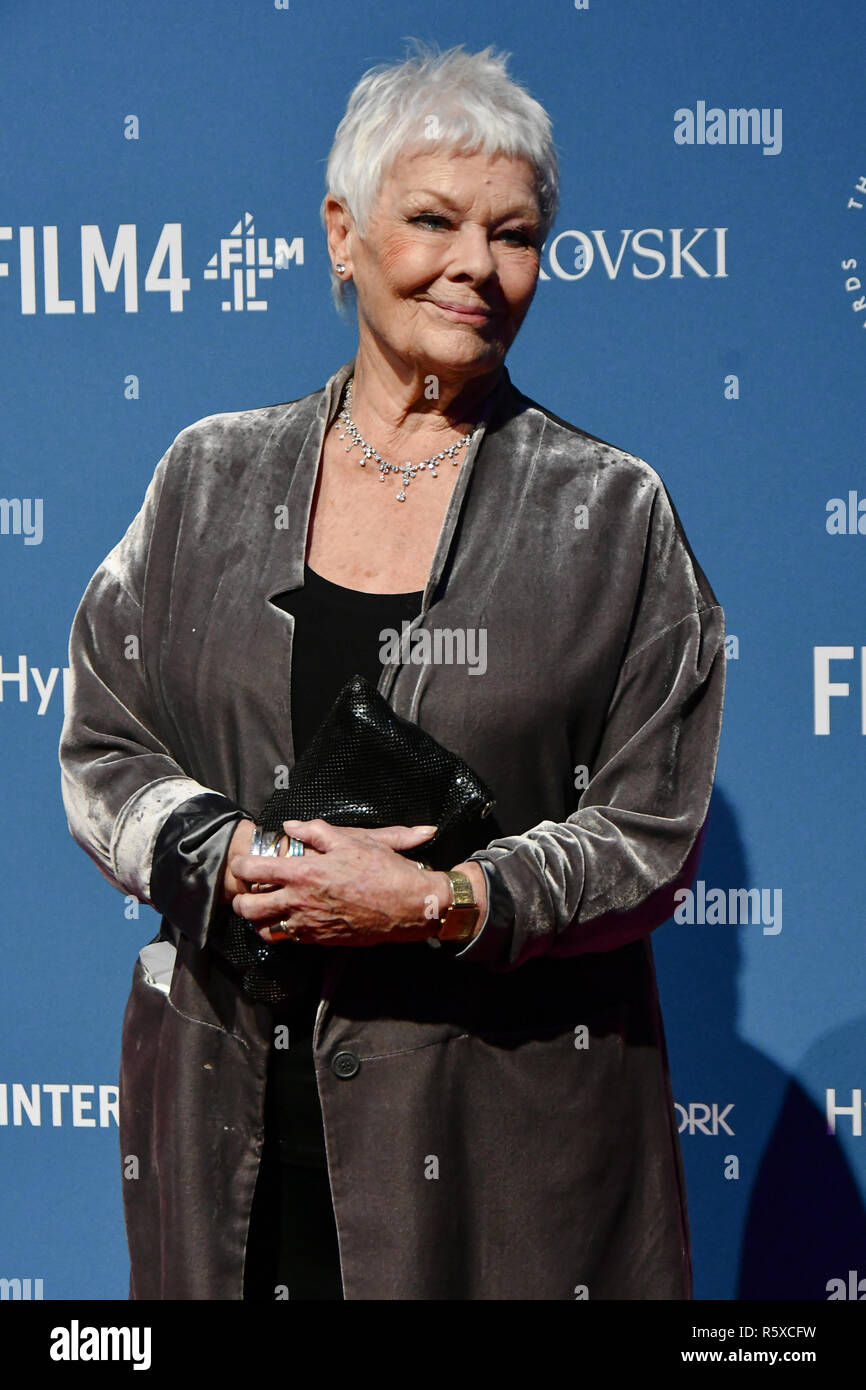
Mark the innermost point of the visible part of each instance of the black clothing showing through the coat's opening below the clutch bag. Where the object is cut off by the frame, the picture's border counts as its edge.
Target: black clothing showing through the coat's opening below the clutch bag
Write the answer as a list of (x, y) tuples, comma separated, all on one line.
[(293, 1249)]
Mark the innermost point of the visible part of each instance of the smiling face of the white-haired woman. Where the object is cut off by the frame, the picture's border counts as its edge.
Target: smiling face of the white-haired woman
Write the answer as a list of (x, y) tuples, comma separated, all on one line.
[(450, 263)]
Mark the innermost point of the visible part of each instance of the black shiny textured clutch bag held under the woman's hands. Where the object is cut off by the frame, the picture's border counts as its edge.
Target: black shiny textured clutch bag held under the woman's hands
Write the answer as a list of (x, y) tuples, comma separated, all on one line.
[(366, 767)]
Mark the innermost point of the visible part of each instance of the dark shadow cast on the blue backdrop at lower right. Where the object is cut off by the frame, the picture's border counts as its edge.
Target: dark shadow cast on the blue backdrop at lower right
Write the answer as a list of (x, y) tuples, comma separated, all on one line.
[(794, 1217)]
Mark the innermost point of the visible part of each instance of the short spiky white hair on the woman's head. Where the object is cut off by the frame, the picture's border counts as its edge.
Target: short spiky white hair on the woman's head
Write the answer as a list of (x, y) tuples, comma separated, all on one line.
[(468, 99)]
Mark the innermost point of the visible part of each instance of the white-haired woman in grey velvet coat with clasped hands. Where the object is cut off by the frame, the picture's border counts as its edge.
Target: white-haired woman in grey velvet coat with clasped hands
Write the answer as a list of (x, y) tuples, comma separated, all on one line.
[(491, 1118)]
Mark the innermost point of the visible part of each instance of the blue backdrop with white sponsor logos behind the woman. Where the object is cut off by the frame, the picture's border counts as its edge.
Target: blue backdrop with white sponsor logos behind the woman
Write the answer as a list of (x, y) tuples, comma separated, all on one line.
[(701, 306)]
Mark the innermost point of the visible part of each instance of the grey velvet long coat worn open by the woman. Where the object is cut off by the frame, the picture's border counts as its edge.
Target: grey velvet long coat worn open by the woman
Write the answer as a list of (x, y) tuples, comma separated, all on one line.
[(509, 1131)]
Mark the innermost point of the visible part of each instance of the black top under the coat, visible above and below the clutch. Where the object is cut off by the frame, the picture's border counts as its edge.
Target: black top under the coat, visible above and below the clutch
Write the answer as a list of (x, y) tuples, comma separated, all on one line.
[(338, 633)]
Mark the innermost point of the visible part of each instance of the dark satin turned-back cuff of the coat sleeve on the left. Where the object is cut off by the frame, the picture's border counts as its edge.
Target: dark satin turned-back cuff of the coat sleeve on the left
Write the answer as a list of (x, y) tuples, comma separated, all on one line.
[(190, 862)]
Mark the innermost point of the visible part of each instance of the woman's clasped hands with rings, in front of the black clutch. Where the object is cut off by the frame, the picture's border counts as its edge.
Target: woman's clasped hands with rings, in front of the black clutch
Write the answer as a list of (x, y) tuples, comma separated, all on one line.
[(348, 889)]
